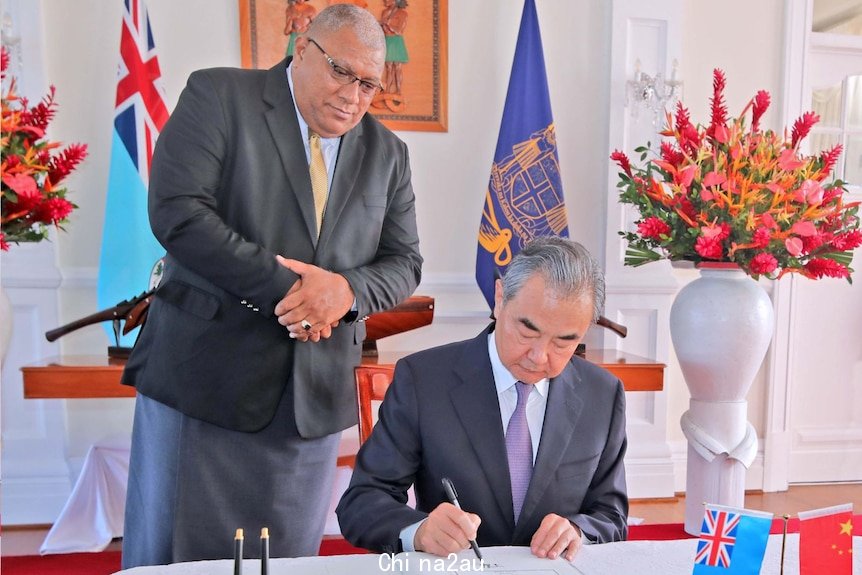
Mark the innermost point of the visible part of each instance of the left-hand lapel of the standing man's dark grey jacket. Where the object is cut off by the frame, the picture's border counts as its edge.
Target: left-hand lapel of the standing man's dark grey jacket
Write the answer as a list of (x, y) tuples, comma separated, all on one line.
[(284, 127)]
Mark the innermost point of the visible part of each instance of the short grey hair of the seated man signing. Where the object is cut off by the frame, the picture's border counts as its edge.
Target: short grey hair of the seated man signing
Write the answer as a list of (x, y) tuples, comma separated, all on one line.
[(566, 266)]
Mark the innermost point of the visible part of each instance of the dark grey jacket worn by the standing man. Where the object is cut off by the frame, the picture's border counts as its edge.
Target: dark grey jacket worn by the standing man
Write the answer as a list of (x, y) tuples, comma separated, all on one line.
[(230, 189)]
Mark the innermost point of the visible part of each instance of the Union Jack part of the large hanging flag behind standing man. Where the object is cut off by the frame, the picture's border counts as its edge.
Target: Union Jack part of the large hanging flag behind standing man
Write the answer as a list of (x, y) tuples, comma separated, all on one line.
[(140, 110)]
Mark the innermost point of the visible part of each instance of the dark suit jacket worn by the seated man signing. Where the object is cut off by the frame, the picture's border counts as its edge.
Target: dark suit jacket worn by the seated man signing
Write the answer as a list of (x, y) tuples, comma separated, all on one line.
[(441, 418)]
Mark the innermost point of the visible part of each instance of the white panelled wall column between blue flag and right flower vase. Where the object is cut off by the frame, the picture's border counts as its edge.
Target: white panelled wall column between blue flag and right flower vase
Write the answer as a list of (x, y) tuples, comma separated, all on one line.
[(647, 32)]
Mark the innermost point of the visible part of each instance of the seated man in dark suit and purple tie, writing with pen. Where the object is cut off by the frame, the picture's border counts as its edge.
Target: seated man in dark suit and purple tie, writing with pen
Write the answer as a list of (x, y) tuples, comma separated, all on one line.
[(531, 435)]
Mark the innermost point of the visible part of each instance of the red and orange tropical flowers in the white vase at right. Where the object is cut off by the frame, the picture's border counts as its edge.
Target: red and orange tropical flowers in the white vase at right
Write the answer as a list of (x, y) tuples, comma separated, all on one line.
[(733, 193)]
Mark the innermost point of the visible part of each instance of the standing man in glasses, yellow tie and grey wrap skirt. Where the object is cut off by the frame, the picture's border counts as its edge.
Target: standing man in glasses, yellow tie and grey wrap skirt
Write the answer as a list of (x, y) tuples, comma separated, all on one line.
[(287, 213)]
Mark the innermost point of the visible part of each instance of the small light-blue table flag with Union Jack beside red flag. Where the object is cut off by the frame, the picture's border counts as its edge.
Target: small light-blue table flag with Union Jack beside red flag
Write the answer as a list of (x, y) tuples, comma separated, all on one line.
[(732, 541)]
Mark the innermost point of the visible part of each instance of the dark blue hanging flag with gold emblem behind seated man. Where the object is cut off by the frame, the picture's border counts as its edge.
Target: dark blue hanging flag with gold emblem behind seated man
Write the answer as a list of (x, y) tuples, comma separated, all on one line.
[(524, 198)]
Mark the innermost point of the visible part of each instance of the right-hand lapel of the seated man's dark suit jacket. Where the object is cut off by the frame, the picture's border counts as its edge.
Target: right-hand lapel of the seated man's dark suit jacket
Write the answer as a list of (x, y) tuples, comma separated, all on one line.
[(561, 414)]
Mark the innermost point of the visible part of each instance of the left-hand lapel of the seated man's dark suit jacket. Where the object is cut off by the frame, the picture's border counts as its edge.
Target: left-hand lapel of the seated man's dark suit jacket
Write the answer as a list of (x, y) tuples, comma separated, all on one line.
[(474, 399)]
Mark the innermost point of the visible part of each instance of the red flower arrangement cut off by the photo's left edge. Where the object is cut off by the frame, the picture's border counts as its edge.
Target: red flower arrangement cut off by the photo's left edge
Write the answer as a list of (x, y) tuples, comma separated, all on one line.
[(31, 169)]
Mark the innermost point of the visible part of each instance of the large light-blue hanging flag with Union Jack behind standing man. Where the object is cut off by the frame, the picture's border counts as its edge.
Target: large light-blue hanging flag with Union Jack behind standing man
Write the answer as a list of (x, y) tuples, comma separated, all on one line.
[(129, 249)]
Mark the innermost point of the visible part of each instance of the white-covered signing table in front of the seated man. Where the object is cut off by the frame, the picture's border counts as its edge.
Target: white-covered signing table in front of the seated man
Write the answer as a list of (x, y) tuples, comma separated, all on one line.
[(630, 557)]
